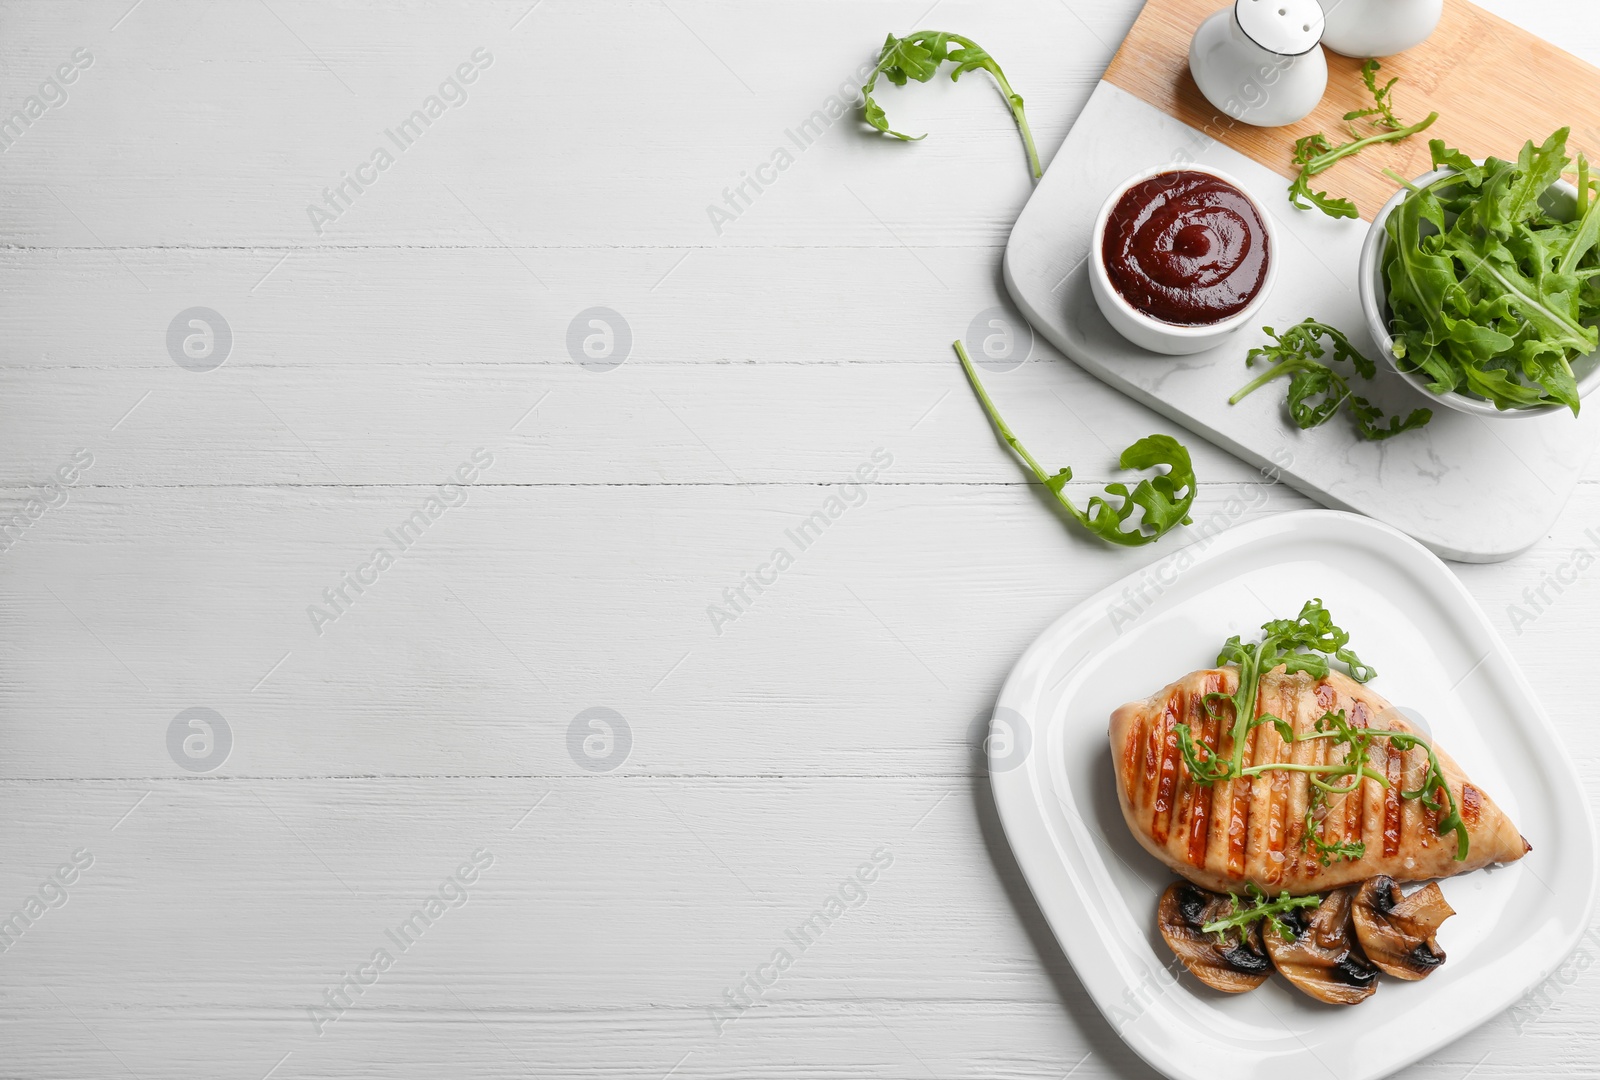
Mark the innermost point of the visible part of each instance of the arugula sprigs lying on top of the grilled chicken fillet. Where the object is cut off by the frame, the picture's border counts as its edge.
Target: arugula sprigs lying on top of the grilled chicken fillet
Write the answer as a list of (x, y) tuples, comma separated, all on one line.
[(1306, 646)]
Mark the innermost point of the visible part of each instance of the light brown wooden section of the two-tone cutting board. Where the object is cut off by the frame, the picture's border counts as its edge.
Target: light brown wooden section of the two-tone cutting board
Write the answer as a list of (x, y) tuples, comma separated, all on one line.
[(1494, 86)]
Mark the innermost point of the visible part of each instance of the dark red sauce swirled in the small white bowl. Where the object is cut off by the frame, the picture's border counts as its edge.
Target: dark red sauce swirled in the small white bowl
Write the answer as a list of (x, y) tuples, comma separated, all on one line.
[(1186, 247)]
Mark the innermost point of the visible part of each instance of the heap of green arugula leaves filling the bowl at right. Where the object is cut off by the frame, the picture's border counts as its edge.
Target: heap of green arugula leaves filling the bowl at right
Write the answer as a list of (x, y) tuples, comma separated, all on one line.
[(1490, 294)]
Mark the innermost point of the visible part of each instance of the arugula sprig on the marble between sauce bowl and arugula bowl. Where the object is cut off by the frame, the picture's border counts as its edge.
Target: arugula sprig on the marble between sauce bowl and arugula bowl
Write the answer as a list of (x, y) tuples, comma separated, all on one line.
[(1318, 391)]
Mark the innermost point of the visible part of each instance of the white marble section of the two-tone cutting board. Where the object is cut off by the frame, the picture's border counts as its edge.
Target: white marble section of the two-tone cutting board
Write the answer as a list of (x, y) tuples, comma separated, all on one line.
[(1470, 489)]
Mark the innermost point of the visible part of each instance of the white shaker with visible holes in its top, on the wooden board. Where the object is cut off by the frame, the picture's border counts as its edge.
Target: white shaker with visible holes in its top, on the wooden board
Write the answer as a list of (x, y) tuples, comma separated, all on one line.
[(1260, 62)]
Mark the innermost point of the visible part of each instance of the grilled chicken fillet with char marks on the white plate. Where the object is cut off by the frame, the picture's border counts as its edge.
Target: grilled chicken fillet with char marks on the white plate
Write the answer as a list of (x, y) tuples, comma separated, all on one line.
[(1254, 828)]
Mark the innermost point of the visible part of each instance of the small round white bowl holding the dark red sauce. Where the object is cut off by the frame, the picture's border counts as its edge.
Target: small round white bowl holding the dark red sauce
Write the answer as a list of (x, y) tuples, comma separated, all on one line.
[(1158, 335)]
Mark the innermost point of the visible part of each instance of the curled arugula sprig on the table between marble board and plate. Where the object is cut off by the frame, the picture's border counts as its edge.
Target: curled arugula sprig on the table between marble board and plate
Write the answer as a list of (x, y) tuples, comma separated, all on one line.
[(1166, 498)]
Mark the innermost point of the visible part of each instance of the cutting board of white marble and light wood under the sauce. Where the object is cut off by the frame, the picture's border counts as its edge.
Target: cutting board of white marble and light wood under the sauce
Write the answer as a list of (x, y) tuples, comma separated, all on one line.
[(1471, 489)]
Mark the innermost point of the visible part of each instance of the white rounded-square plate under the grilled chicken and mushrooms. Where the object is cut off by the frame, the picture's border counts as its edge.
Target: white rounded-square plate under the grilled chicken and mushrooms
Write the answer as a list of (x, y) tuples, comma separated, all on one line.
[(1438, 658)]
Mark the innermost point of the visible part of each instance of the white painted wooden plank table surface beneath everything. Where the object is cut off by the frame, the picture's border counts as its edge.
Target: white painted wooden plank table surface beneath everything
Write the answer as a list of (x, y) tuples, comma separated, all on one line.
[(374, 353)]
